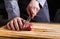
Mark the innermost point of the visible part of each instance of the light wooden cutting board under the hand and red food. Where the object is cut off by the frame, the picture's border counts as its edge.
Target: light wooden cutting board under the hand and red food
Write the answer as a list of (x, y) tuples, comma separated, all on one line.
[(39, 30)]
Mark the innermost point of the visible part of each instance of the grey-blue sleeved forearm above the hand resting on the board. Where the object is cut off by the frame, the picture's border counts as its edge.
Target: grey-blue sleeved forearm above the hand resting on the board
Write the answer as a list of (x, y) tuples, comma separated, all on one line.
[(12, 8)]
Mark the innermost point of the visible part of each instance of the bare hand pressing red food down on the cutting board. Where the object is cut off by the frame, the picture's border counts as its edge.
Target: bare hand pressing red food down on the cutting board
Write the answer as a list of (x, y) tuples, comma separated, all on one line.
[(15, 24)]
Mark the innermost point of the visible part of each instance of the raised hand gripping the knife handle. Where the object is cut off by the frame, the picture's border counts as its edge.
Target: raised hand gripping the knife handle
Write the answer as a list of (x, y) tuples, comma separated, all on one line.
[(33, 8)]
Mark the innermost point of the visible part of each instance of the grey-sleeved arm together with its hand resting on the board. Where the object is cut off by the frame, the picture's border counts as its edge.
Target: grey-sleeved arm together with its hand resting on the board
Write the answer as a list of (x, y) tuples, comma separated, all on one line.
[(13, 13)]
